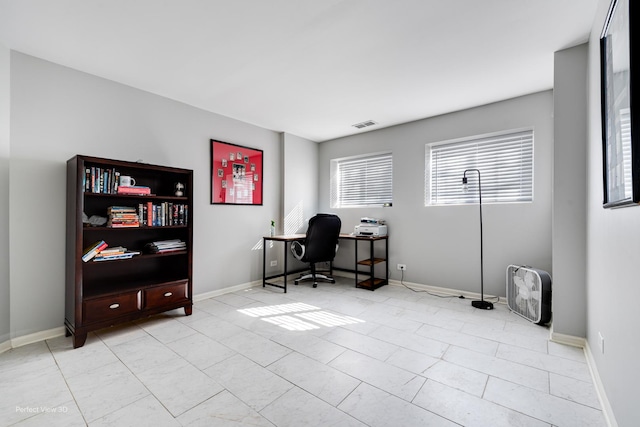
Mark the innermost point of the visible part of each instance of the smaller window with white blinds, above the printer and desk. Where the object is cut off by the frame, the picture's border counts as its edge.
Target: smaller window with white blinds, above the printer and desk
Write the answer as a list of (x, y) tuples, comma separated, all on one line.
[(362, 181)]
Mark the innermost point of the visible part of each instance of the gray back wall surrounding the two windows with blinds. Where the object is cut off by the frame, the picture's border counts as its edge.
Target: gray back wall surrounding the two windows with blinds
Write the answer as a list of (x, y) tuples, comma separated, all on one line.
[(440, 244)]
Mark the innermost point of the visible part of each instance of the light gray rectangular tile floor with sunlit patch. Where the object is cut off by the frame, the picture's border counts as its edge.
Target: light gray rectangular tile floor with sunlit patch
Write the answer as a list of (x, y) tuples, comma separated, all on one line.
[(330, 356)]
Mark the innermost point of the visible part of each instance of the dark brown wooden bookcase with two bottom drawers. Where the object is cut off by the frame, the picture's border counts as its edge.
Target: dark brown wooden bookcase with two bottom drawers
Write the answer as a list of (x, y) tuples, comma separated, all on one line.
[(100, 294)]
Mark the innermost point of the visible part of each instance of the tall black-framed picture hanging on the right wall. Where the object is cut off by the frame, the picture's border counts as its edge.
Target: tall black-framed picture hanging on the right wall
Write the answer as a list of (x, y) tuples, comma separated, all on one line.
[(619, 87)]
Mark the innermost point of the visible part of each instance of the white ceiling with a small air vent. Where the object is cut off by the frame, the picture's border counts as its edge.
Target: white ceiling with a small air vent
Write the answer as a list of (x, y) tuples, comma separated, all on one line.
[(311, 68)]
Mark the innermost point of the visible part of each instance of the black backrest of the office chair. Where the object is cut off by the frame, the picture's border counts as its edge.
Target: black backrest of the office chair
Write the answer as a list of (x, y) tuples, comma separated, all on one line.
[(322, 238)]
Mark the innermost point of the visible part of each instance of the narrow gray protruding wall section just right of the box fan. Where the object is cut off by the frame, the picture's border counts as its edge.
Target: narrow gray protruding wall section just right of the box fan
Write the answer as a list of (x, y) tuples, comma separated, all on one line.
[(569, 191)]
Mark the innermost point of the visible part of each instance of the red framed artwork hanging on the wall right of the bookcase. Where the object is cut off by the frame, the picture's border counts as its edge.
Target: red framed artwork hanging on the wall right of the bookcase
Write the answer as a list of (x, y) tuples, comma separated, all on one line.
[(236, 174)]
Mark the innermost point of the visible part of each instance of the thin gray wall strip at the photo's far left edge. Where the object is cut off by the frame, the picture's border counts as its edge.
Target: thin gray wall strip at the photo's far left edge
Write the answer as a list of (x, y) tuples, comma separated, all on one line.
[(5, 308)]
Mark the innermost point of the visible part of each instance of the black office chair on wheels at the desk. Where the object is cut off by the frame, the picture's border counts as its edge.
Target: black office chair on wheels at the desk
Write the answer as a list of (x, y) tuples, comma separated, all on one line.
[(319, 245)]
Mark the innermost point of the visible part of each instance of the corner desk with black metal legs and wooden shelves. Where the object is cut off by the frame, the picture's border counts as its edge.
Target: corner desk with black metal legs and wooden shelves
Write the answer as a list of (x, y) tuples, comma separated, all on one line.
[(372, 283)]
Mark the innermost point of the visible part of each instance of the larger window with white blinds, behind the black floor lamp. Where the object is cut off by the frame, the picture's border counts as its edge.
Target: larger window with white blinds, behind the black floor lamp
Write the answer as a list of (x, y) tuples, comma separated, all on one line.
[(505, 162)]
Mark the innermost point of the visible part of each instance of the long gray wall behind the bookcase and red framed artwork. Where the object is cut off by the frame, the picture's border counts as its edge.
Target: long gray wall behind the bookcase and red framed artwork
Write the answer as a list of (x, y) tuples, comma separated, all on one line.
[(57, 112)]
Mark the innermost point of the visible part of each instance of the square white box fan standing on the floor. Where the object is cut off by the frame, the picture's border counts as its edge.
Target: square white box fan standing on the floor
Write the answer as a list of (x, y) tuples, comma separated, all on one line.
[(529, 293)]
